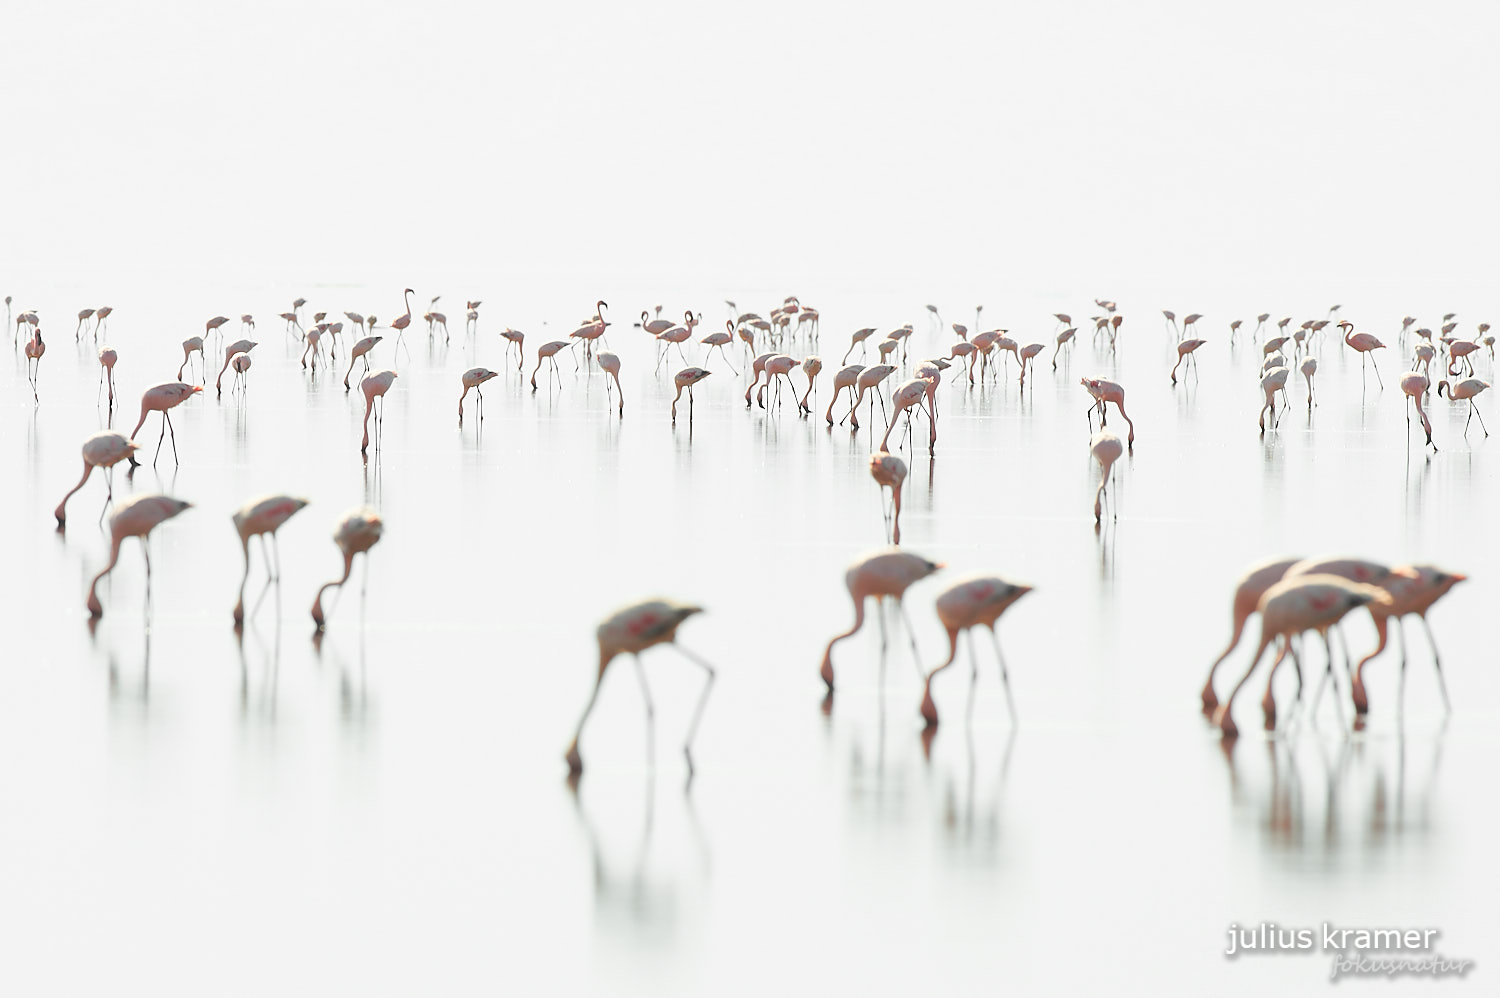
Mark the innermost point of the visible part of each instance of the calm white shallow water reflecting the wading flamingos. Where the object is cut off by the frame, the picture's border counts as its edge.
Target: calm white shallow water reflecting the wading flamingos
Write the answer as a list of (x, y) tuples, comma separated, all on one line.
[(388, 811)]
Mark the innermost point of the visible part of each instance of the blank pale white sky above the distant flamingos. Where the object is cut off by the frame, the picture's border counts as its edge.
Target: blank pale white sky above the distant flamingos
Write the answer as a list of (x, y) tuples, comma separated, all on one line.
[(1066, 146)]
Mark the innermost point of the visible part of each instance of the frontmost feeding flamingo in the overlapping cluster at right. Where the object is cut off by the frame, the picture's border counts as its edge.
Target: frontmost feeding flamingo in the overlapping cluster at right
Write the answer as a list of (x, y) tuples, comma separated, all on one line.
[(1309, 603)]
